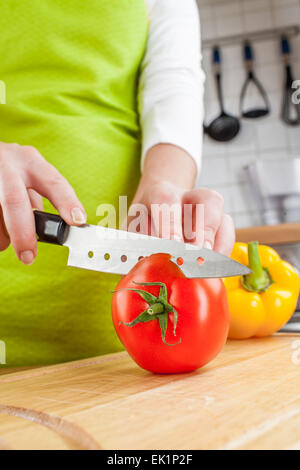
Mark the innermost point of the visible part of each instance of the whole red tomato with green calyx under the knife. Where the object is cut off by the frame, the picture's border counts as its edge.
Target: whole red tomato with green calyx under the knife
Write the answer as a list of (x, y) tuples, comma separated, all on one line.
[(202, 325)]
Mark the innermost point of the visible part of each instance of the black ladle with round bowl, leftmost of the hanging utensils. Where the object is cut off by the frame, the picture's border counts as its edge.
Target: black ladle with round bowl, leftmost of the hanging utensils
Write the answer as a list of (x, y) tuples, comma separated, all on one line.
[(225, 127)]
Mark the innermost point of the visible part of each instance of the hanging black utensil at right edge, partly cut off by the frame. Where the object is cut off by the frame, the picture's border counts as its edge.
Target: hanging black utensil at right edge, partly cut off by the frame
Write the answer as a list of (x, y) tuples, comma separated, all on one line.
[(290, 112)]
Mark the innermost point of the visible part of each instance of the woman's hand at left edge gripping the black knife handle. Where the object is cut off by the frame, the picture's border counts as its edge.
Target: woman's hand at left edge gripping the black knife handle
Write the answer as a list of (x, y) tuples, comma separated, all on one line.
[(25, 176)]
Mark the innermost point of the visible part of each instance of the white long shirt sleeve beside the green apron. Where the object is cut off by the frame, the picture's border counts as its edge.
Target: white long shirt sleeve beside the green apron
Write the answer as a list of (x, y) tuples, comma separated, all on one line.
[(171, 84)]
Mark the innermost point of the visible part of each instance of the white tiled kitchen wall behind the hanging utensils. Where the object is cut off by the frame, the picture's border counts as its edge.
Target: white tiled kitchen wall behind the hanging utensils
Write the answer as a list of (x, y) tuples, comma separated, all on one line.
[(265, 138)]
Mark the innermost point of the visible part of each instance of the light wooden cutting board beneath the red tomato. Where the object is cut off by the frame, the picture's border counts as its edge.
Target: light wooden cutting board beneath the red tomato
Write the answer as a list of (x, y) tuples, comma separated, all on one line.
[(247, 398)]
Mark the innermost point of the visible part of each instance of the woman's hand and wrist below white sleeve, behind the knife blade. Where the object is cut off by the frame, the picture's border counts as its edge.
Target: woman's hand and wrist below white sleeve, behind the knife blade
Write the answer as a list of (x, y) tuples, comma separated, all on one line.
[(167, 179)]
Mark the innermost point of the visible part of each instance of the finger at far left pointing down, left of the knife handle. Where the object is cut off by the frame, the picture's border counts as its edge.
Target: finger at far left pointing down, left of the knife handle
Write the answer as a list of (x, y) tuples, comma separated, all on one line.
[(18, 215)]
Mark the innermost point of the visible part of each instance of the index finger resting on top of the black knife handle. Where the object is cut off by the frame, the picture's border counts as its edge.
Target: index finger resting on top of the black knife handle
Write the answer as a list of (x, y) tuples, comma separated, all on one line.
[(49, 183)]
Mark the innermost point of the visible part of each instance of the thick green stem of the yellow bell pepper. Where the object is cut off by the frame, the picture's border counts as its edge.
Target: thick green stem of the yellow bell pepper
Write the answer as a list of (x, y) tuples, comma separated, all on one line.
[(260, 279)]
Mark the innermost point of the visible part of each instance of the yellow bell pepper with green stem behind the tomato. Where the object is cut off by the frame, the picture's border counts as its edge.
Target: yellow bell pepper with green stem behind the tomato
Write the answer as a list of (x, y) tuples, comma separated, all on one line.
[(260, 303)]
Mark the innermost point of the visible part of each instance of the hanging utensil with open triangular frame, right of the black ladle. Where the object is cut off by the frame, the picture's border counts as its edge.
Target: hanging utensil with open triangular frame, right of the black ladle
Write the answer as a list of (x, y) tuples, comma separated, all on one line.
[(251, 79)]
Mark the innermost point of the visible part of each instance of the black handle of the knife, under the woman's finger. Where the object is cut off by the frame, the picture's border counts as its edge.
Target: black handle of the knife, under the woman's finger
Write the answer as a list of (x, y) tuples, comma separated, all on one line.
[(50, 228)]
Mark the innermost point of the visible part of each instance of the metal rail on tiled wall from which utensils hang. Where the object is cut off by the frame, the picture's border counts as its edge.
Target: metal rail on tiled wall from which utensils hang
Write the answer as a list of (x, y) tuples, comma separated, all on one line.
[(289, 31)]
